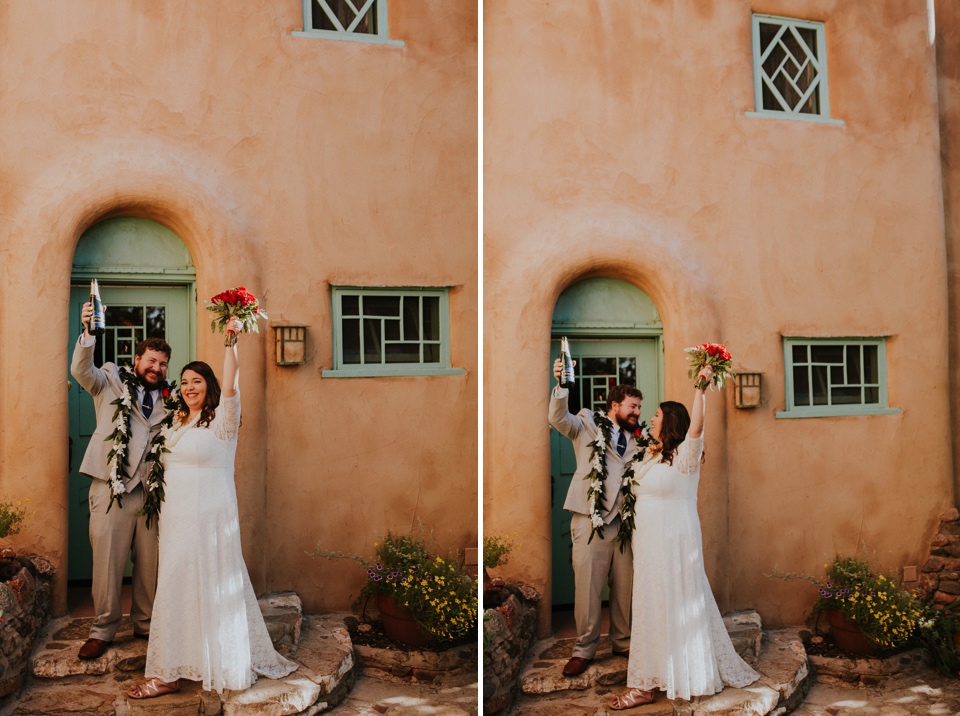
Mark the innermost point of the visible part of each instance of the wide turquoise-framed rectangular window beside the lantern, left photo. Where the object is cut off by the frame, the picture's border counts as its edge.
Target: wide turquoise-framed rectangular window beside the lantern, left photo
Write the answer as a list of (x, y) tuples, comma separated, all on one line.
[(391, 331)]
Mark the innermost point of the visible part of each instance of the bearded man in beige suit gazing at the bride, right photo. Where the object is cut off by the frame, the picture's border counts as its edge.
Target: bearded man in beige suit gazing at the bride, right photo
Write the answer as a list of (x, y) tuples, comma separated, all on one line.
[(598, 561)]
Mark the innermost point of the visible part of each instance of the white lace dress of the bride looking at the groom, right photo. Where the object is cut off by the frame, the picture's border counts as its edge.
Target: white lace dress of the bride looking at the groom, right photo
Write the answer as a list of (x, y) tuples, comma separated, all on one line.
[(678, 642)]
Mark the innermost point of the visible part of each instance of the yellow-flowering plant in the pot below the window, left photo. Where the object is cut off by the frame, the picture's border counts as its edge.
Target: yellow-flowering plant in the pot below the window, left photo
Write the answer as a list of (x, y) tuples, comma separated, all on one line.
[(439, 595)]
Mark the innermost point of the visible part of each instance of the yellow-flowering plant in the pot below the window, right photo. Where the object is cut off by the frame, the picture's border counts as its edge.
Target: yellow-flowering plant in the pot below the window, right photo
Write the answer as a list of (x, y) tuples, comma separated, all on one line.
[(877, 603)]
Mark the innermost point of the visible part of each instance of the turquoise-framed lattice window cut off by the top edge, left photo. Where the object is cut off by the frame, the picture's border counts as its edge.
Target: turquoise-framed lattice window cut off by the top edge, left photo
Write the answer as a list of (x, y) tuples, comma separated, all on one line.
[(357, 20)]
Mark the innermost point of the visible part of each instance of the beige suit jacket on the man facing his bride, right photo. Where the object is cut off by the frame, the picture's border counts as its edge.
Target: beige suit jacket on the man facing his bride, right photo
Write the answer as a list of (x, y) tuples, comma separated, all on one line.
[(582, 430)]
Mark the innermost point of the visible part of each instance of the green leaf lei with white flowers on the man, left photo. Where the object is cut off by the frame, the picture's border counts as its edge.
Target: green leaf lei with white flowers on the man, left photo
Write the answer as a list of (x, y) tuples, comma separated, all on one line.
[(121, 437)]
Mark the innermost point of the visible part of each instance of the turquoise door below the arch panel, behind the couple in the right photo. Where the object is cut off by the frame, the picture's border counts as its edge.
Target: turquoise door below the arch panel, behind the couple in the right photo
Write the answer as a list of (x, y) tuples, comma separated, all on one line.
[(601, 364)]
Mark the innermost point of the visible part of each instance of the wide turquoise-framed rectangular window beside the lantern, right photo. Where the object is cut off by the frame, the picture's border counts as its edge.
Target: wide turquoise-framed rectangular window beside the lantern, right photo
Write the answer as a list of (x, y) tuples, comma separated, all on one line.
[(835, 376)]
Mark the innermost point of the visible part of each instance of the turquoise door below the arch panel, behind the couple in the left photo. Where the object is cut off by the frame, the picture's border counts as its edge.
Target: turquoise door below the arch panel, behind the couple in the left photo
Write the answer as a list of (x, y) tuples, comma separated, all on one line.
[(133, 313)]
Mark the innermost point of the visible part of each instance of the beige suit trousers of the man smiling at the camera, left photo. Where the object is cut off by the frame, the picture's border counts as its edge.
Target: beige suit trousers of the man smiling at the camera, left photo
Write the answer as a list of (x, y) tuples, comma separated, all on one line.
[(114, 536)]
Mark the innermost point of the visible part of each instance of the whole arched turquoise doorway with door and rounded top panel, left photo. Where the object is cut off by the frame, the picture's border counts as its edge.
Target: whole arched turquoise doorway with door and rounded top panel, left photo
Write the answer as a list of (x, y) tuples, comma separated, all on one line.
[(147, 282)]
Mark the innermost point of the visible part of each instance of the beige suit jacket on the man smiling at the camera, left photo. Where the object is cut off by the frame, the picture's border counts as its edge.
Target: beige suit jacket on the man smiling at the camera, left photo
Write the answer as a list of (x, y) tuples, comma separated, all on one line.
[(106, 385)]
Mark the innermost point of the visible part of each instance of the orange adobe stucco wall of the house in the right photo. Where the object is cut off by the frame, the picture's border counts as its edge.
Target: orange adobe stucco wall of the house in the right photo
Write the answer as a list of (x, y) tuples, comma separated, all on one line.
[(616, 145)]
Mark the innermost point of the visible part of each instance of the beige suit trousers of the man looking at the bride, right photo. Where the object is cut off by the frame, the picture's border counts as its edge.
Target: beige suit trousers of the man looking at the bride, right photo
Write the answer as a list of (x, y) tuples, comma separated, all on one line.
[(594, 565)]
